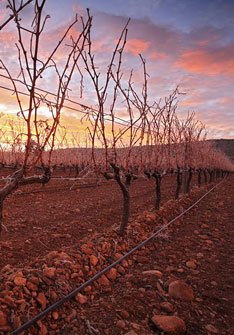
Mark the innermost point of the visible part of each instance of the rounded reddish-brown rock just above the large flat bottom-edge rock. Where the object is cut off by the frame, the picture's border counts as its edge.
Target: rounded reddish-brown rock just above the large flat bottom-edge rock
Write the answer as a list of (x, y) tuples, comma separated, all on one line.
[(178, 289)]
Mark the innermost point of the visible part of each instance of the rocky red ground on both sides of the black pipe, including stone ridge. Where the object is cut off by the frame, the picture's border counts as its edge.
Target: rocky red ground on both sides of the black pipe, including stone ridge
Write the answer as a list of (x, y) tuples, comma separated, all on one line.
[(182, 283)]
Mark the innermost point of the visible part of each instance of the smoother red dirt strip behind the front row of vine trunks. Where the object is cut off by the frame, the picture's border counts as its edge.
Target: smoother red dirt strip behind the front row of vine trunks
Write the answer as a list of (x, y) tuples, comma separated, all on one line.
[(48, 220)]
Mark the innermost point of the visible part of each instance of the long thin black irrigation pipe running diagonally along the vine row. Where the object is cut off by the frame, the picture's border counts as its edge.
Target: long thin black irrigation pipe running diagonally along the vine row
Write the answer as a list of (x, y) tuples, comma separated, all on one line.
[(102, 272)]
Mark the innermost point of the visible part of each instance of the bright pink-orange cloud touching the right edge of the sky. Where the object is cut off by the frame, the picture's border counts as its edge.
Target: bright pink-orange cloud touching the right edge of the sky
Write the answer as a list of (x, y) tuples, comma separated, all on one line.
[(207, 62)]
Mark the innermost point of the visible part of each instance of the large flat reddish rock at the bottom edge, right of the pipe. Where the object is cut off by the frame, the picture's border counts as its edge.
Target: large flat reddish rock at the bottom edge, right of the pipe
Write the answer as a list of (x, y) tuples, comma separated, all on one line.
[(171, 325)]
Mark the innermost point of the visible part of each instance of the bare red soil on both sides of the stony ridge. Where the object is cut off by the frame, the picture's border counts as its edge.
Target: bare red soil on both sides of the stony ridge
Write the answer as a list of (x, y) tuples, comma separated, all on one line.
[(47, 220)]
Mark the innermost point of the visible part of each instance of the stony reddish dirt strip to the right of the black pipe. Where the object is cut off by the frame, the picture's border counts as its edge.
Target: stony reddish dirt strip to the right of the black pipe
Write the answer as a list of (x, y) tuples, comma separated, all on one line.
[(204, 237)]
